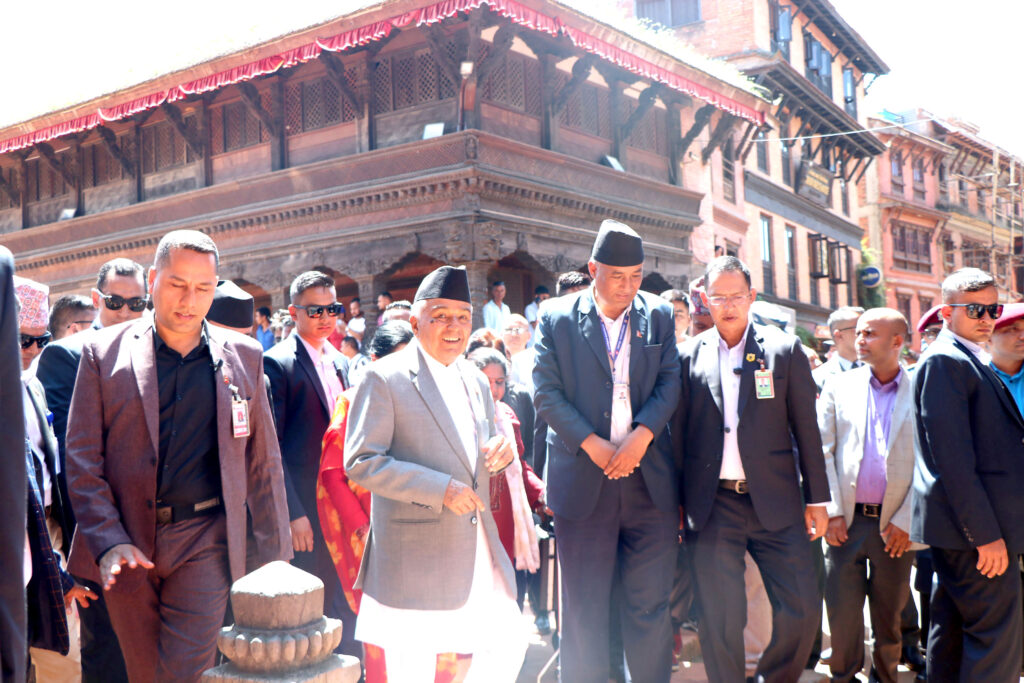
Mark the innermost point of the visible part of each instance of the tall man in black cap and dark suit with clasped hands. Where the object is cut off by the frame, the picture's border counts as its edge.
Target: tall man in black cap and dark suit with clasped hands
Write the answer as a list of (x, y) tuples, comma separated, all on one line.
[(607, 383)]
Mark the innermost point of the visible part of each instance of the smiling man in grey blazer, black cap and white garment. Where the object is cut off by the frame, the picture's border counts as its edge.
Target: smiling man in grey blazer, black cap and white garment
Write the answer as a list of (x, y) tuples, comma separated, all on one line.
[(421, 438)]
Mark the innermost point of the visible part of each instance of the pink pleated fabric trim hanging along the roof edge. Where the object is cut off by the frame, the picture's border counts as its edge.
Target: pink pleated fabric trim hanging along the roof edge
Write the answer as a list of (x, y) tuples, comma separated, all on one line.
[(438, 12)]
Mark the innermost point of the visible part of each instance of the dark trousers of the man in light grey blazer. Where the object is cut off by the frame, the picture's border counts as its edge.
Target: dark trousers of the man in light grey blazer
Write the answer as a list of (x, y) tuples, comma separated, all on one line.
[(860, 569)]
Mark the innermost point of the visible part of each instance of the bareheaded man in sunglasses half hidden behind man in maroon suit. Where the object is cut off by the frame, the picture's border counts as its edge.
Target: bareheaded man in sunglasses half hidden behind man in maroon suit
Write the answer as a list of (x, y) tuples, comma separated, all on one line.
[(119, 296)]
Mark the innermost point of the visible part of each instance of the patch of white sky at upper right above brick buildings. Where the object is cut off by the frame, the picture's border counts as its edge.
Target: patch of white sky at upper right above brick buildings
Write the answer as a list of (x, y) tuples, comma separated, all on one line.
[(954, 59)]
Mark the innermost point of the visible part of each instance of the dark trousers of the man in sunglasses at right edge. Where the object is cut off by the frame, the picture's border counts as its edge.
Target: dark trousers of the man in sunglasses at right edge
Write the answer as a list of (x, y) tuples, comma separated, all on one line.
[(976, 628)]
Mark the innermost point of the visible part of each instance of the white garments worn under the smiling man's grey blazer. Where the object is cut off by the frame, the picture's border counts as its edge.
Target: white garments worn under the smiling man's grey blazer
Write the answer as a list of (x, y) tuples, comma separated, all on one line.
[(490, 615)]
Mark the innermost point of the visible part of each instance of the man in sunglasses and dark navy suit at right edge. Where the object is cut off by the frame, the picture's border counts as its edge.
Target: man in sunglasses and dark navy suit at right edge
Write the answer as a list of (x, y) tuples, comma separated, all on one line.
[(967, 491)]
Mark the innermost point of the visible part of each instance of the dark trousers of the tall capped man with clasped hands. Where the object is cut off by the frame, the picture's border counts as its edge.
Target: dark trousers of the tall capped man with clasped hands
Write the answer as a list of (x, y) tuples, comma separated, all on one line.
[(627, 531)]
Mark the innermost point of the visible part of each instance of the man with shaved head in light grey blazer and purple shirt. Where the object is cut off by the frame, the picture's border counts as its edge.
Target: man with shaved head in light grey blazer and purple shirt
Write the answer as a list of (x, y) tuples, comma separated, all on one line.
[(867, 422)]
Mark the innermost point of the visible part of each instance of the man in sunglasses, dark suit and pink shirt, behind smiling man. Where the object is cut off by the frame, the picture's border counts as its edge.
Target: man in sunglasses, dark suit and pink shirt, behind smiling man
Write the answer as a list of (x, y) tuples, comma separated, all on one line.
[(308, 375)]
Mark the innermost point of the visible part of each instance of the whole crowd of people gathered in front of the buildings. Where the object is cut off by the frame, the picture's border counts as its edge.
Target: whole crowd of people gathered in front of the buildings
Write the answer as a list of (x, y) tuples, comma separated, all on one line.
[(699, 466)]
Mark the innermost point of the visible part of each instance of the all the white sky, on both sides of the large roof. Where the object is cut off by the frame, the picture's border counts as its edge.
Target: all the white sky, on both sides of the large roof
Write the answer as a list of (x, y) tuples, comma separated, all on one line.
[(948, 58)]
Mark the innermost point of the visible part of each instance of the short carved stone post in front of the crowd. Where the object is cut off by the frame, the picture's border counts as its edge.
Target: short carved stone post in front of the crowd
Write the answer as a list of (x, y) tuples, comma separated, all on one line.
[(281, 633)]
